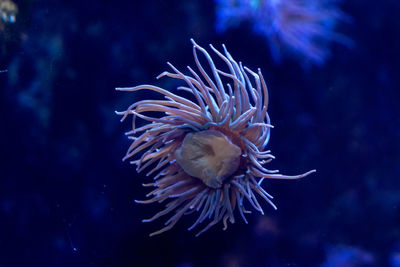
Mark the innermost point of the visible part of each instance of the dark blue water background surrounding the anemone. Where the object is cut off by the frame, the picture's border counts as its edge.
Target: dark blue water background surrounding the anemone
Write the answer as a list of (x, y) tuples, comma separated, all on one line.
[(67, 199)]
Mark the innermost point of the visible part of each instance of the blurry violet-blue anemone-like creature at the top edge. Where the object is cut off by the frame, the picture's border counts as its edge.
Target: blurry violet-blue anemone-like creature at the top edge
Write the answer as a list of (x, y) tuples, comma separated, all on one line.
[(301, 27)]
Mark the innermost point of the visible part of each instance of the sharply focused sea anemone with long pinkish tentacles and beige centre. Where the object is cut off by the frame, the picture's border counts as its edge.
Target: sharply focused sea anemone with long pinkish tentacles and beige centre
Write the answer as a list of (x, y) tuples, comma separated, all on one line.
[(206, 154)]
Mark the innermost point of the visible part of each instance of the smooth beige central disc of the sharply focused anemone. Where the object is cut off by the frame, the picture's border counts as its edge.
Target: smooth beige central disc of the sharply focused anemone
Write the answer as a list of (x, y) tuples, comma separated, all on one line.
[(208, 155)]
